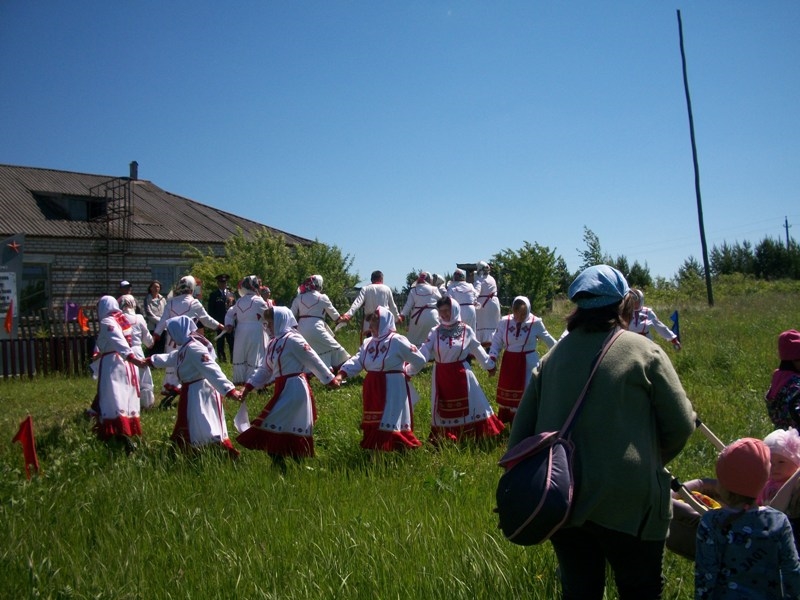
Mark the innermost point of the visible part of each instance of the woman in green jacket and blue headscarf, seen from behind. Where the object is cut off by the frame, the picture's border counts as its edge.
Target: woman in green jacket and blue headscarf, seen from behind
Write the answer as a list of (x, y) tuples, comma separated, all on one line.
[(635, 419)]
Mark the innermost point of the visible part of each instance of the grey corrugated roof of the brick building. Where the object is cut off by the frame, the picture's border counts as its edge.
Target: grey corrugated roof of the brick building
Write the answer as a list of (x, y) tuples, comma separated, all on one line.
[(157, 214)]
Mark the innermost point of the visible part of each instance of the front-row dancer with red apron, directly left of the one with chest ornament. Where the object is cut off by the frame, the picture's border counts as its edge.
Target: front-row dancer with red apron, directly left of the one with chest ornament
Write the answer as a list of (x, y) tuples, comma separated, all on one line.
[(388, 395)]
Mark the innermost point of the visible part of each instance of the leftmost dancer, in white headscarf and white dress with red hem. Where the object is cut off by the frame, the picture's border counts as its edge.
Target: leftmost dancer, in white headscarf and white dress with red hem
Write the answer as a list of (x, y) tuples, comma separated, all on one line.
[(117, 403)]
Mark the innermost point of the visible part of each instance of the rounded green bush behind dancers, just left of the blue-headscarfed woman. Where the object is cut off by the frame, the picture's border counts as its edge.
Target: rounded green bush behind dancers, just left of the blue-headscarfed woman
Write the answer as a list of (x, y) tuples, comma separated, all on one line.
[(531, 271)]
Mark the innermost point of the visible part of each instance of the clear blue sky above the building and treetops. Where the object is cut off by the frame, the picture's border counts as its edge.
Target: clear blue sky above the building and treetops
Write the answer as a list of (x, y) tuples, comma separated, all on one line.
[(420, 134)]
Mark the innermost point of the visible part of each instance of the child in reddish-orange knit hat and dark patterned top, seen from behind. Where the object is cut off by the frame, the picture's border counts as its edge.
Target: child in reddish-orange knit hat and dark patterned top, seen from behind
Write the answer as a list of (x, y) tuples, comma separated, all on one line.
[(745, 550)]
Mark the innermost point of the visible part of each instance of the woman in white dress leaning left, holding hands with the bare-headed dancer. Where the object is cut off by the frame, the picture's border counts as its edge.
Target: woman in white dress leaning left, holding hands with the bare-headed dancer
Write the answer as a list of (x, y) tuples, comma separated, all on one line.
[(310, 307)]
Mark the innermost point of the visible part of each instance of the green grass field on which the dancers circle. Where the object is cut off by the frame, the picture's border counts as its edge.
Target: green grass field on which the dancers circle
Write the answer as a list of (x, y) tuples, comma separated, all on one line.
[(97, 523)]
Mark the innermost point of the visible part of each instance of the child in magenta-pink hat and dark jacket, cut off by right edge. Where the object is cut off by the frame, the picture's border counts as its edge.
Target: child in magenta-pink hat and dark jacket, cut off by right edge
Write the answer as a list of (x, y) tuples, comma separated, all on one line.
[(783, 397)]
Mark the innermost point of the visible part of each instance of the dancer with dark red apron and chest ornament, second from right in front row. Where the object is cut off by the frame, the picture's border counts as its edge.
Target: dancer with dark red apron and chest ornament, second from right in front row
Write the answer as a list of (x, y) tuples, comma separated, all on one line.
[(459, 406)]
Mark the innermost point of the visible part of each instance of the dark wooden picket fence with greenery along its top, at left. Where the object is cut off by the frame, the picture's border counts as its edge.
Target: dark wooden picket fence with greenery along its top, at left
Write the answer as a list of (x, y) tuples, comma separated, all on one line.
[(46, 343)]
